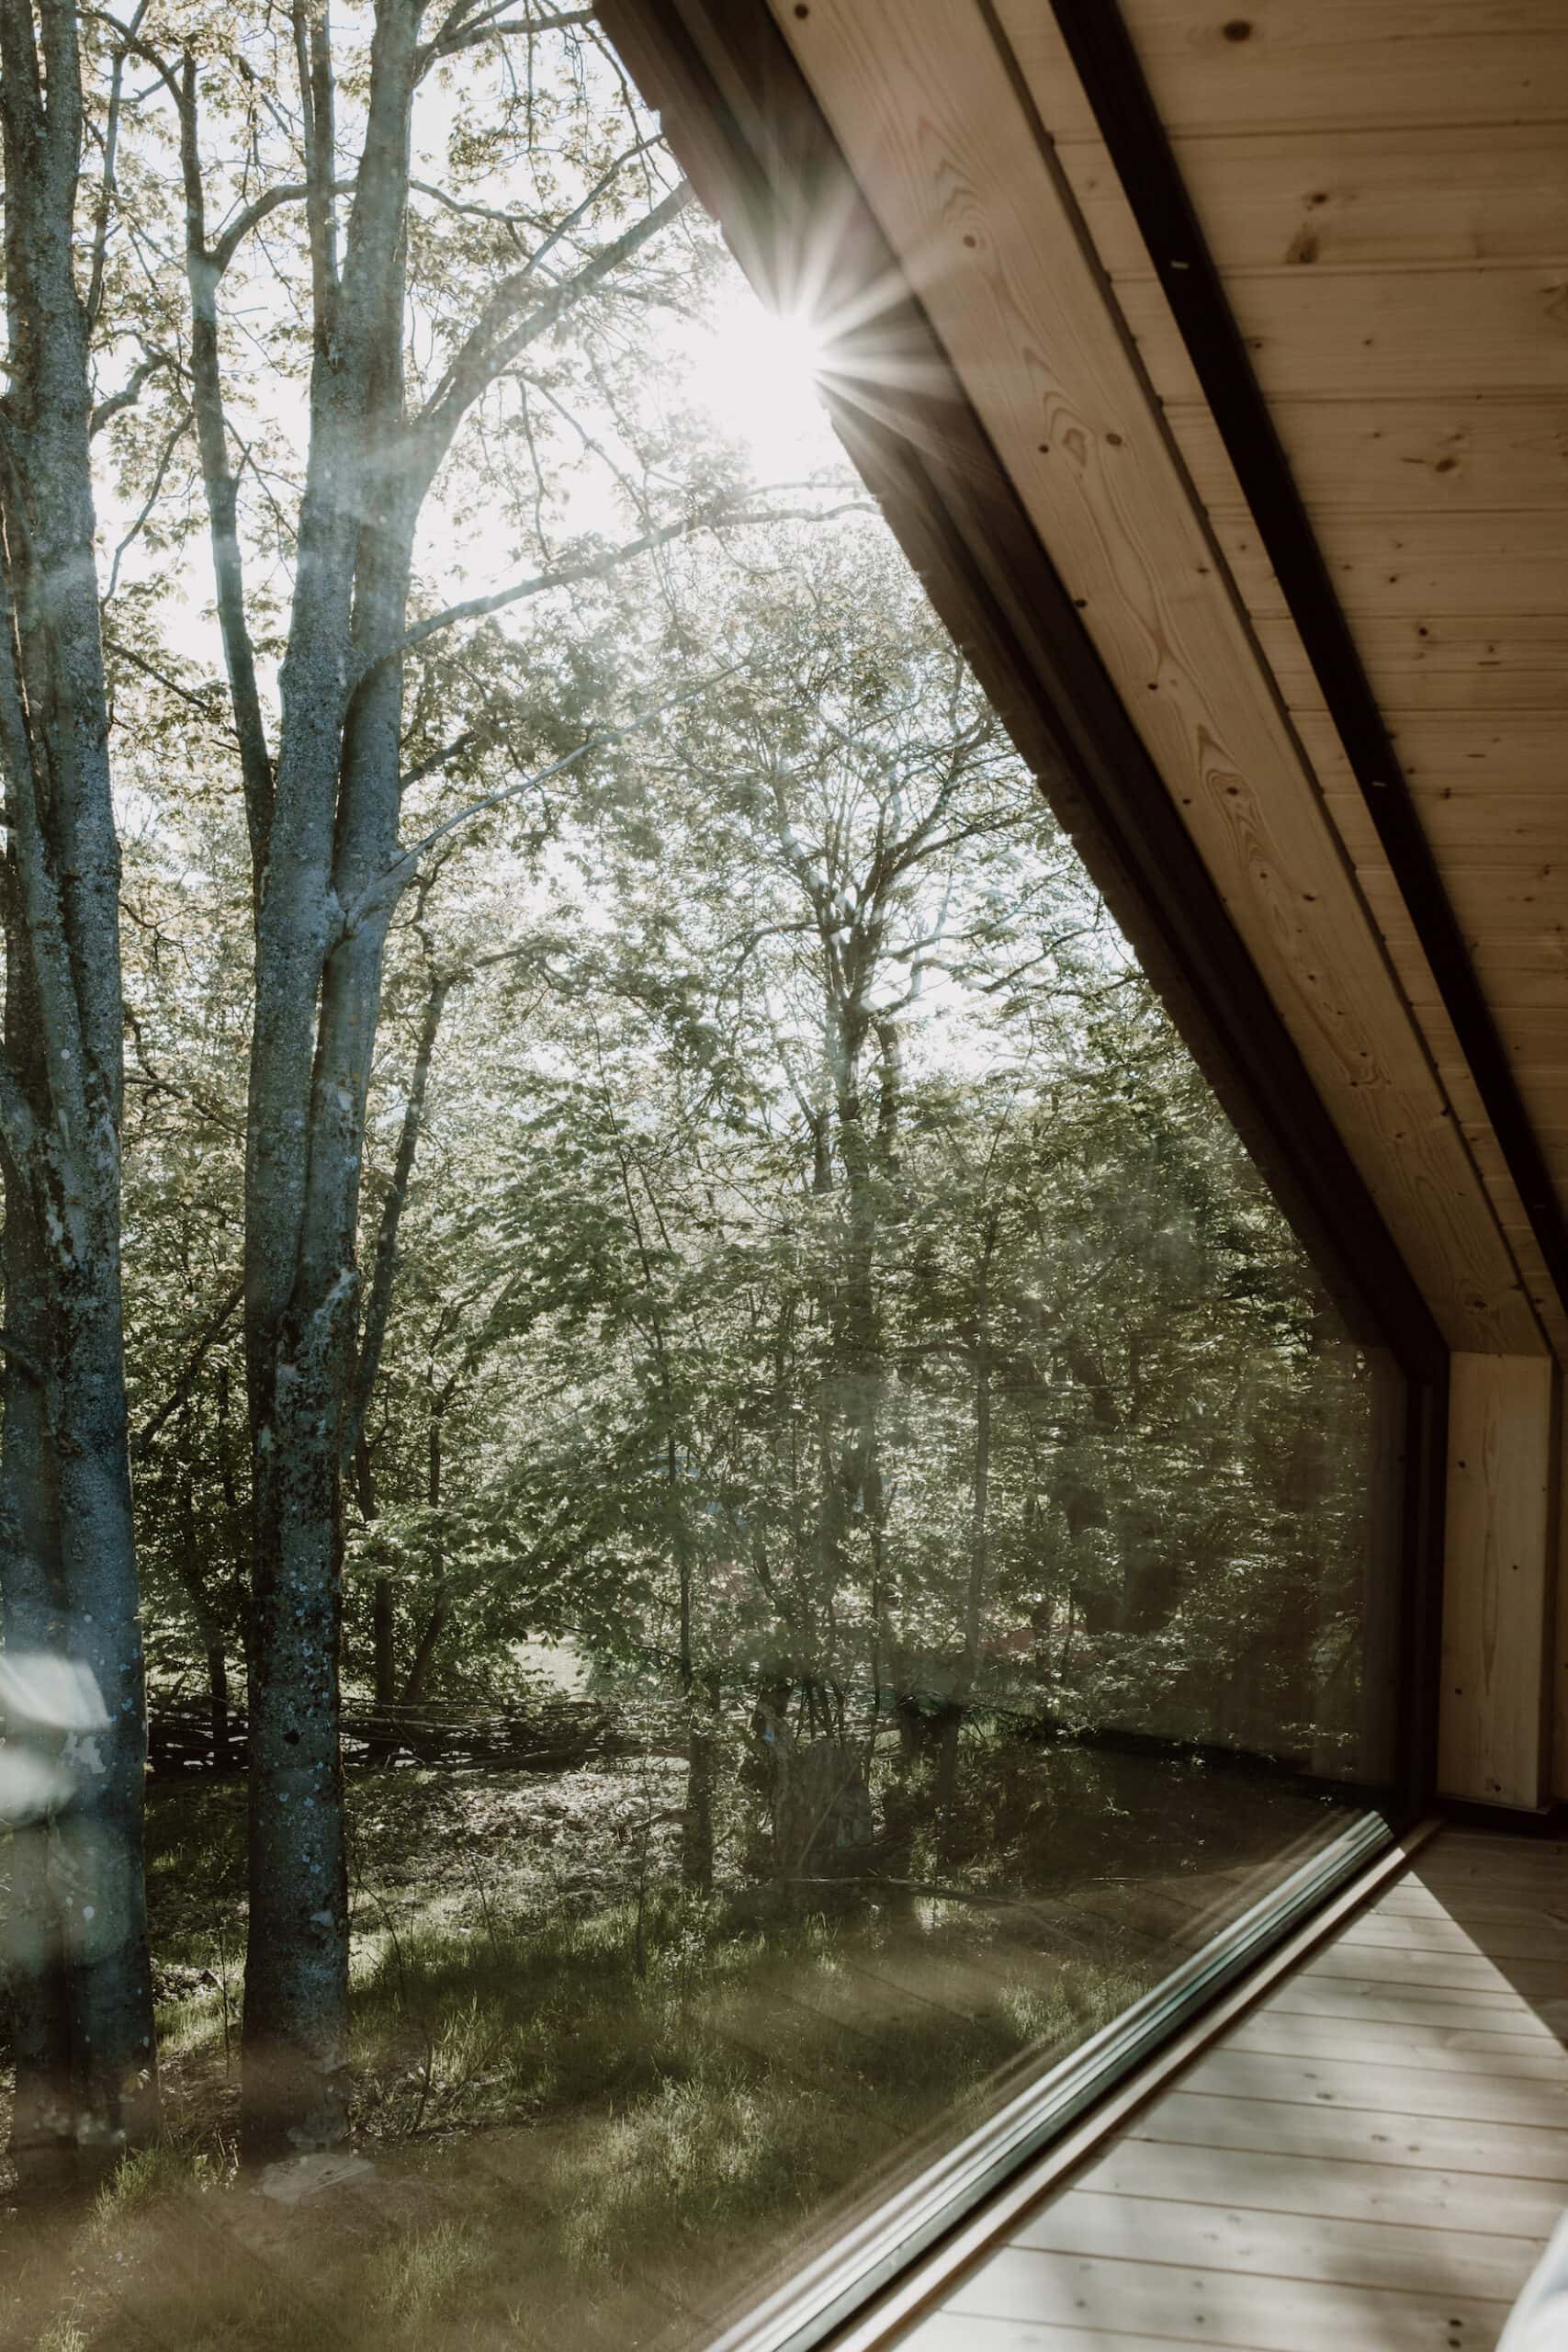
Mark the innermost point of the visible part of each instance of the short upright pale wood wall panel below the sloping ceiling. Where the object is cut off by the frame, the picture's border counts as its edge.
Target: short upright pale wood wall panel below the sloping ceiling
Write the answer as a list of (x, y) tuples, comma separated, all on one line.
[(1501, 1579)]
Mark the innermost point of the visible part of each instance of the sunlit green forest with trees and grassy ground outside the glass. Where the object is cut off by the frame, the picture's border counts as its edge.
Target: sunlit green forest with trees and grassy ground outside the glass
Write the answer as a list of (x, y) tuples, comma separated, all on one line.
[(671, 1499)]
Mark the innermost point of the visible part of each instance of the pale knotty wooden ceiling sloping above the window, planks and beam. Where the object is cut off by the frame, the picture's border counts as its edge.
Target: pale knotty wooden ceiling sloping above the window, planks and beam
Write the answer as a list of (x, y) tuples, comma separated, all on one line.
[(1386, 192)]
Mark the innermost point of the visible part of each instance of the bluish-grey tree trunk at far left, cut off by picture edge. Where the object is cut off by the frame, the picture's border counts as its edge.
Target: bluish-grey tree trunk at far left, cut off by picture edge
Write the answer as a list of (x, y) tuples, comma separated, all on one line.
[(86, 2069)]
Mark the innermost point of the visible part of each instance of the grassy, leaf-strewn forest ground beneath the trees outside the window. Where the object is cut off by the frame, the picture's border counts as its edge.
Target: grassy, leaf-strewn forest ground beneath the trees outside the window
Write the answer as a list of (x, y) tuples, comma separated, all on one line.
[(587, 2116)]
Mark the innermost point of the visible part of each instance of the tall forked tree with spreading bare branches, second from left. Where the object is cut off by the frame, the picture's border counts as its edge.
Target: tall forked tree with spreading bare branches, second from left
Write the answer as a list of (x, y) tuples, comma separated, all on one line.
[(330, 780)]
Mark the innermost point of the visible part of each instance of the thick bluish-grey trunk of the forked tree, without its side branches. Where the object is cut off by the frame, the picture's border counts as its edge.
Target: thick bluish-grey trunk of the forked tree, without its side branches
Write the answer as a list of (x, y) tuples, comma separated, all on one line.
[(319, 998)]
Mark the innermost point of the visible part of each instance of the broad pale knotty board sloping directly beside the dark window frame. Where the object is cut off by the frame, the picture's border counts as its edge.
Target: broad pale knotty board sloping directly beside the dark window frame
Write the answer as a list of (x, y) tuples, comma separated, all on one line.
[(930, 119)]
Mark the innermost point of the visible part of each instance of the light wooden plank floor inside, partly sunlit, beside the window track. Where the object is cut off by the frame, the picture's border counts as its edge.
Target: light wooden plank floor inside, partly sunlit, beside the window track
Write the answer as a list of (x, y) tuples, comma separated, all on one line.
[(1372, 2158)]
